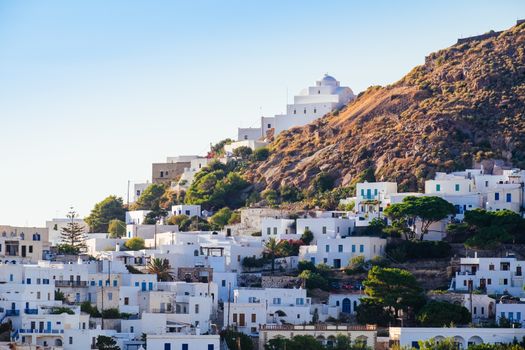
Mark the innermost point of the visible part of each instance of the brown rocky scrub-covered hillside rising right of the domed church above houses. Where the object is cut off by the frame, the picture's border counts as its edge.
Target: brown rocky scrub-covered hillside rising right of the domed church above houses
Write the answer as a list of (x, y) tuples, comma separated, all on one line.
[(464, 105)]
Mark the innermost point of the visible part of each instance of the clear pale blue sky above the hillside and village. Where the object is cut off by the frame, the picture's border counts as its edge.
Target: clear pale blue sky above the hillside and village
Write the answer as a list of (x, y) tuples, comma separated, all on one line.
[(92, 92)]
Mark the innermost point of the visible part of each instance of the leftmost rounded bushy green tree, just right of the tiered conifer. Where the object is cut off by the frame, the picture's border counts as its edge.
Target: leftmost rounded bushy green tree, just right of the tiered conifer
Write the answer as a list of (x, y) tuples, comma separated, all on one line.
[(103, 212)]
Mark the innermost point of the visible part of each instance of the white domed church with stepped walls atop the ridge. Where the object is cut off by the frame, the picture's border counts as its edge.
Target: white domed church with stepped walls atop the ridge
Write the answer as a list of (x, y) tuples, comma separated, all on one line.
[(312, 103)]
